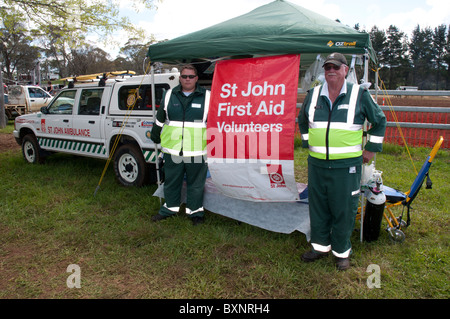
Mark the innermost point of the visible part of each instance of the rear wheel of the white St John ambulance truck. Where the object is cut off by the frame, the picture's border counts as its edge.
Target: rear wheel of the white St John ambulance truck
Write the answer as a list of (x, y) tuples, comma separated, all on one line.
[(130, 166)]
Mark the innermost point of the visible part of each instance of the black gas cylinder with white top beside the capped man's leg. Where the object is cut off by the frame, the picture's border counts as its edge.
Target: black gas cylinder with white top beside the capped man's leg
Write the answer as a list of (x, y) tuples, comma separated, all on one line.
[(373, 213)]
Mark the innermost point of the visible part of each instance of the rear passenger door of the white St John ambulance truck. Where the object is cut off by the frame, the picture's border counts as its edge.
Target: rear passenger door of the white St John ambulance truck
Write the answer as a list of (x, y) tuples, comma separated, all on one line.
[(87, 122)]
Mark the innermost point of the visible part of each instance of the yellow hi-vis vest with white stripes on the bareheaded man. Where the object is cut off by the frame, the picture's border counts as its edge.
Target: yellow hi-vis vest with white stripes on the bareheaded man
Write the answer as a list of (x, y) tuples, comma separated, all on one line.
[(184, 138)]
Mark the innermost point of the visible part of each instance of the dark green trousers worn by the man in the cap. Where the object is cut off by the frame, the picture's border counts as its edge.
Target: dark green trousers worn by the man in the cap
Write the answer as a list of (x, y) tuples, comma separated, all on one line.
[(333, 195)]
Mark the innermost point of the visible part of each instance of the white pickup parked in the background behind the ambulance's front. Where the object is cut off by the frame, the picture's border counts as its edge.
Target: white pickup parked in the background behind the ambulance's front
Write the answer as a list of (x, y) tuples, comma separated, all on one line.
[(23, 99)]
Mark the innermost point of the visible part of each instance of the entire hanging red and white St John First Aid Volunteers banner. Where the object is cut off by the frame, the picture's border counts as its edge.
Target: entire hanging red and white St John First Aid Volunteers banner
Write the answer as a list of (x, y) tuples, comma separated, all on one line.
[(251, 125)]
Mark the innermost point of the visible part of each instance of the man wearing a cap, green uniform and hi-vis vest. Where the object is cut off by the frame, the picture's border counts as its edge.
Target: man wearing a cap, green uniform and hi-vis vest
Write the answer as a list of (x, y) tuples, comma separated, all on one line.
[(331, 122)]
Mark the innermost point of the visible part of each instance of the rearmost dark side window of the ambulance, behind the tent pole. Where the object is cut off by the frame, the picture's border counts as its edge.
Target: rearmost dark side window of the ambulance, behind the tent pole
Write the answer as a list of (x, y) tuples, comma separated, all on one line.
[(143, 100)]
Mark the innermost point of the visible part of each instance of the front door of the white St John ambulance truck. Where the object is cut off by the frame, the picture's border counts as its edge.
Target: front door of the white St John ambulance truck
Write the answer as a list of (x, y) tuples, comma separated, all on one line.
[(56, 122)]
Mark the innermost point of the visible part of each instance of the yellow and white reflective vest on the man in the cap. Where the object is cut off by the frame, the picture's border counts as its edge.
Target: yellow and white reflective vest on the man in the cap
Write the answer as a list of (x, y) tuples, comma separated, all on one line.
[(335, 140)]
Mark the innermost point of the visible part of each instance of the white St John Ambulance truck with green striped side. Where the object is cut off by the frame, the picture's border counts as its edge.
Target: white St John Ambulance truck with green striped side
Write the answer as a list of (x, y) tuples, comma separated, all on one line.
[(89, 120)]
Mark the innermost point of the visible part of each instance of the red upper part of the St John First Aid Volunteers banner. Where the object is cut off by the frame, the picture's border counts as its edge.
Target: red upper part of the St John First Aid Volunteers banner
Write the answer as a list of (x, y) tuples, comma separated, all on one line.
[(253, 105)]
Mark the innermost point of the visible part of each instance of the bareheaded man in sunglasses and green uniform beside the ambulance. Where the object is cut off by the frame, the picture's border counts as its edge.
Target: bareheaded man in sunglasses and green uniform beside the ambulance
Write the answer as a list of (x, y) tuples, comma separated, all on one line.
[(181, 130)]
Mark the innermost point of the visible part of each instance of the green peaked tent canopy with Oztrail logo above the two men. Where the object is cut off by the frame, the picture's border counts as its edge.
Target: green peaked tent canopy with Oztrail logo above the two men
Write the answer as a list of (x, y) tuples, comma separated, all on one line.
[(279, 27)]
